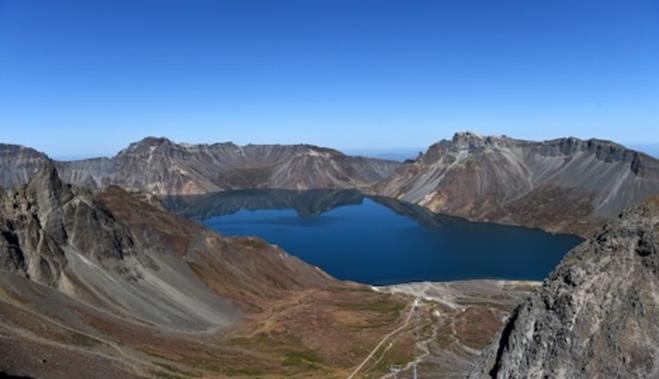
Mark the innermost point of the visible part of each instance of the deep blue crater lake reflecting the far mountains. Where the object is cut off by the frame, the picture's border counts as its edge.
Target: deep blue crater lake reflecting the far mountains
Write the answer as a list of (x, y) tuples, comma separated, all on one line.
[(380, 241)]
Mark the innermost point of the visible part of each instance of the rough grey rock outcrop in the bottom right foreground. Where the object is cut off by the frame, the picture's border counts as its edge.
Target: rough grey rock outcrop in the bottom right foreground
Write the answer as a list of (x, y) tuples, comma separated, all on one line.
[(596, 316)]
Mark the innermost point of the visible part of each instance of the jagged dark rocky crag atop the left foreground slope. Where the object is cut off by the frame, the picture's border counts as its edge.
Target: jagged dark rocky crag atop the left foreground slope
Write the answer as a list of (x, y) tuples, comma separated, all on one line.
[(45, 217)]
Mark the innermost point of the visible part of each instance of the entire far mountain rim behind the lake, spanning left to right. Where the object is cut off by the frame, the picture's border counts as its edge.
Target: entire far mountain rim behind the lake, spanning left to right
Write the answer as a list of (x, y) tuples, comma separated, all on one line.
[(563, 185)]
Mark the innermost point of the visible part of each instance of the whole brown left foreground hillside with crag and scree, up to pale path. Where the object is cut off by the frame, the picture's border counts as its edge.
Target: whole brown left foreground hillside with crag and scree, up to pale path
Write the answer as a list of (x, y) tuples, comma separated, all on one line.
[(128, 290)]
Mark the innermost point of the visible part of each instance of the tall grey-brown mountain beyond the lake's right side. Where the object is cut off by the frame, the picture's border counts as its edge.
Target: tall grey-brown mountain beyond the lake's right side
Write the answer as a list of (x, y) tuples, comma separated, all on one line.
[(564, 185)]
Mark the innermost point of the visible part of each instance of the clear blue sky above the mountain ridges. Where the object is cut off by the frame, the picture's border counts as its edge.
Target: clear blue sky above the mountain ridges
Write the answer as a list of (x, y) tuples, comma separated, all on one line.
[(87, 77)]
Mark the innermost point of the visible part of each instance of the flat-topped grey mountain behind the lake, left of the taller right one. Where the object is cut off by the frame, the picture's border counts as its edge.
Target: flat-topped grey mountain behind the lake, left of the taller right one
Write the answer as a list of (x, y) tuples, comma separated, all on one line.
[(160, 166)]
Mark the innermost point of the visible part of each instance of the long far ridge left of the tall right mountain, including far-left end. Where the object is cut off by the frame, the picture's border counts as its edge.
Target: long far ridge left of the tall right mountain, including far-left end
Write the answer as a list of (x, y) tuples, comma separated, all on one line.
[(160, 166)]
